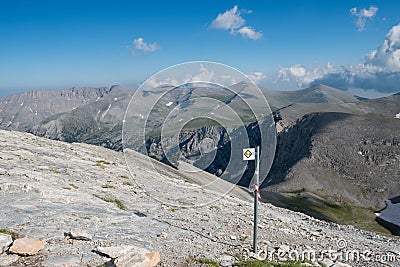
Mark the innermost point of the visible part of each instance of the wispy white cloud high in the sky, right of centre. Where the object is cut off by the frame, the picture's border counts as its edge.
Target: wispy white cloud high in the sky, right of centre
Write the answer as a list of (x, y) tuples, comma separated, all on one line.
[(233, 21)]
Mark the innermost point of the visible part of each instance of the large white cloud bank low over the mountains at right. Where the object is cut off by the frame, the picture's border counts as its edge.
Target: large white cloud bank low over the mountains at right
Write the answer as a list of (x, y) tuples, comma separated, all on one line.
[(379, 74)]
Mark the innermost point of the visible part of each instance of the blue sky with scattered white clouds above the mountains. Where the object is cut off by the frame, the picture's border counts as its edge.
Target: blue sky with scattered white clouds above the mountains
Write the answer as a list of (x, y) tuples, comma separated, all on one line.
[(281, 44)]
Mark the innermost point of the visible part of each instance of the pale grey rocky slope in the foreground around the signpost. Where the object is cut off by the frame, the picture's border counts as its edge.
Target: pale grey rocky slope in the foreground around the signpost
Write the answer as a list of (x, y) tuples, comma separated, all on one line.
[(49, 187)]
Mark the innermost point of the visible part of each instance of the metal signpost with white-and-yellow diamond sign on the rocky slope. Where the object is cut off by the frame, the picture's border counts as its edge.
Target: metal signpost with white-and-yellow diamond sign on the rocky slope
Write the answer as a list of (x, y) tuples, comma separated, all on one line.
[(252, 154)]
